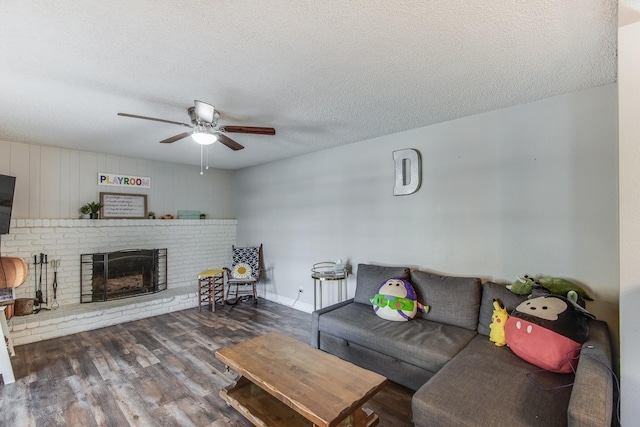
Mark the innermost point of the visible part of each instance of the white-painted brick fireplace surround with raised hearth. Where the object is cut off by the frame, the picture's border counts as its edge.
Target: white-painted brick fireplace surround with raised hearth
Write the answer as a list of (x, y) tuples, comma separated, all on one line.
[(192, 246)]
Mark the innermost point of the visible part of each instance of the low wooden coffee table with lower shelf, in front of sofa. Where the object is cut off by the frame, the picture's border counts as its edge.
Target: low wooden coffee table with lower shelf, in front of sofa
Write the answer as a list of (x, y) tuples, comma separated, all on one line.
[(287, 383)]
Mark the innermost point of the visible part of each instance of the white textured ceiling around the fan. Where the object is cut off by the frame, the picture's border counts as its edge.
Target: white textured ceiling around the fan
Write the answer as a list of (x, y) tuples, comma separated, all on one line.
[(323, 73)]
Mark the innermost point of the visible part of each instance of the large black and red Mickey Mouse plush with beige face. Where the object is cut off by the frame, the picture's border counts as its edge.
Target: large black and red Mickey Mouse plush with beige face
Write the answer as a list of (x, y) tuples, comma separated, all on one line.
[(548, 332)]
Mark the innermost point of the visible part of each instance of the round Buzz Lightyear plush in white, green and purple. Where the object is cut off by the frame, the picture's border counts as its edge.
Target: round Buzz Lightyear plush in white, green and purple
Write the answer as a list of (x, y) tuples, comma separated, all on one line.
[(397, 300)]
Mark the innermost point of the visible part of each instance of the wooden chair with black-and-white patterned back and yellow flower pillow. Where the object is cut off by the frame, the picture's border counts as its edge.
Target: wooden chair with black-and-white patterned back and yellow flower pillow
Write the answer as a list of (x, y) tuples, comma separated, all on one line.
[(245, 272)]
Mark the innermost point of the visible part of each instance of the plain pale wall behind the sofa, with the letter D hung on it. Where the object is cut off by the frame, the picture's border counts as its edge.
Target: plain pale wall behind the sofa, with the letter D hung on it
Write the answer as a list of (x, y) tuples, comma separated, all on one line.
[(528, 189)]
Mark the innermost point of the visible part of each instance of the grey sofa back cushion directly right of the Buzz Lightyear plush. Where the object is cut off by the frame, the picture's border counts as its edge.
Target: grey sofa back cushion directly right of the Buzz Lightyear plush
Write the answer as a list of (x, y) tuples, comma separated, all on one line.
[(451, 300)]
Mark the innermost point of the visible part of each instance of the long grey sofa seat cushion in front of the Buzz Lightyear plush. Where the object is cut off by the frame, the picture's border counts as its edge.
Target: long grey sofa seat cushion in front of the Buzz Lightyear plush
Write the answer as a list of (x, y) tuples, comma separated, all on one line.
[(428, 345)]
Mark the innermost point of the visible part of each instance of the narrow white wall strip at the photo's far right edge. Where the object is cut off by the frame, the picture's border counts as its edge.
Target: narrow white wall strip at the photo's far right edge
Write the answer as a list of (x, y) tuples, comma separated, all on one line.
[(629, 106)]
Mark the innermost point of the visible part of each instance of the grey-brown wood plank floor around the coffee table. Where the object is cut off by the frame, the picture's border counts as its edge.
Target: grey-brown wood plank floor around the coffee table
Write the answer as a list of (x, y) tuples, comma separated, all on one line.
[(159, 371)]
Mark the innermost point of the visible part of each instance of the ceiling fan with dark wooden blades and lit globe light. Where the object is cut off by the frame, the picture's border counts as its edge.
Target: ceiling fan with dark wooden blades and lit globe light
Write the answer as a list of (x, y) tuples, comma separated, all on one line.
[(205, 127)]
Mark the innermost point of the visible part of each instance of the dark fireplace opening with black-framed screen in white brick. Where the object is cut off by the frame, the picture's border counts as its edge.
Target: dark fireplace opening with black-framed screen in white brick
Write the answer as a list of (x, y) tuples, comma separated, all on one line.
[(122, 274)]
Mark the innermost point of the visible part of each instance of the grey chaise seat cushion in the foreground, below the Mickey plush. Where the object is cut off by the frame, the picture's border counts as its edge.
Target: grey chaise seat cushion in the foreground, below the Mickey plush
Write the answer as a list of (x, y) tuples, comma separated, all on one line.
[(486, 385)]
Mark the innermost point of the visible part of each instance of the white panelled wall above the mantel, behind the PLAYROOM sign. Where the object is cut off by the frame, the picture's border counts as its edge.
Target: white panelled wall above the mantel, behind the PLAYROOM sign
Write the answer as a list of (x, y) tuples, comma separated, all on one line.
[(53, 182)]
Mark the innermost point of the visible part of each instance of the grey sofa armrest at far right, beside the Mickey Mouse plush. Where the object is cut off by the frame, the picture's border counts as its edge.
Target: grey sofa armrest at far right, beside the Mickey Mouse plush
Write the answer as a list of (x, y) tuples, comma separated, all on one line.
[(591, 402)]
